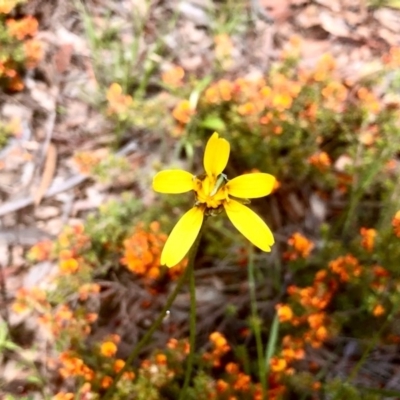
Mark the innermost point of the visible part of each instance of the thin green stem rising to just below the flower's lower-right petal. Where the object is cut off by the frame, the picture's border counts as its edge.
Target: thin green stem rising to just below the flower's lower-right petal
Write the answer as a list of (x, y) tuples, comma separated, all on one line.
[(257, 325)]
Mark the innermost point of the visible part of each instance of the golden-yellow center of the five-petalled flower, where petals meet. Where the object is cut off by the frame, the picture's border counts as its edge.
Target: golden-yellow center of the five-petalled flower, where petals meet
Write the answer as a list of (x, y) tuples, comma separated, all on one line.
[(211, 191)]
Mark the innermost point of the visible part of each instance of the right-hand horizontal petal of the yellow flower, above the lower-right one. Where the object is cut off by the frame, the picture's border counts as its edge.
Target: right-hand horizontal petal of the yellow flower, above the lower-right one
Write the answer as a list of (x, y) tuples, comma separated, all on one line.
[(251, 186)]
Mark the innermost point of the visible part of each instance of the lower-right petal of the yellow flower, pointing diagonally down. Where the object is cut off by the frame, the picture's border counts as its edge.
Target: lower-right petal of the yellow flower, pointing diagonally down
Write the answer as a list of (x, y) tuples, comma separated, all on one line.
[(250, 225)]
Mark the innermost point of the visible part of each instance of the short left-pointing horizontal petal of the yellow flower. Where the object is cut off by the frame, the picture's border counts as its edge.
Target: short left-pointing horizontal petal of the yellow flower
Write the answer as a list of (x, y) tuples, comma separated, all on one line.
[(173, 181)]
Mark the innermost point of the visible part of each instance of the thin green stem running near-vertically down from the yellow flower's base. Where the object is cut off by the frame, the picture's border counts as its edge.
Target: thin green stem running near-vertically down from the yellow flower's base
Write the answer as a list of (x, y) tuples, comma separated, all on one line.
[(192, 319)]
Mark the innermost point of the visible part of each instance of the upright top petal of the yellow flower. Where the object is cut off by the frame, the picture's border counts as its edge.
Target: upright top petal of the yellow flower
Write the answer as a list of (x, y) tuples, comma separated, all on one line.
[(216, 155)]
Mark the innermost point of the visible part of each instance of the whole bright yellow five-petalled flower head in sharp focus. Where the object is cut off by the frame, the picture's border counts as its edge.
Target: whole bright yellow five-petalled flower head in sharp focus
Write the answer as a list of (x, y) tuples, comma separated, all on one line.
[(214, 192)]
